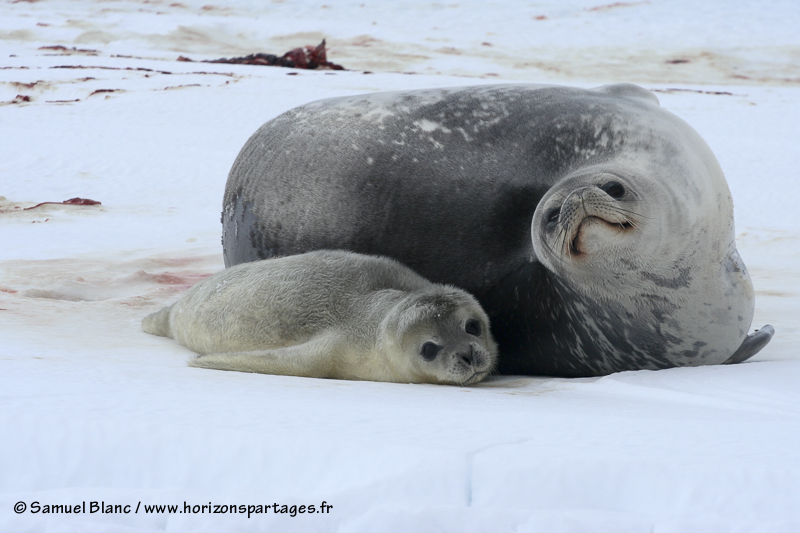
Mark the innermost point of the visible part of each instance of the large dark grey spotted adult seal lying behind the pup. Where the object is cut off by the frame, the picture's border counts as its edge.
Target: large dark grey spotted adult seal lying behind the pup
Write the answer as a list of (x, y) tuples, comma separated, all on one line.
[(595, 228)]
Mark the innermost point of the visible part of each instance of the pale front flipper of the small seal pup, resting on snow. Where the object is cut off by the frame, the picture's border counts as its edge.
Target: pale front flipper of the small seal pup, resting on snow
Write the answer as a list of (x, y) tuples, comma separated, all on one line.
[(312, 359)]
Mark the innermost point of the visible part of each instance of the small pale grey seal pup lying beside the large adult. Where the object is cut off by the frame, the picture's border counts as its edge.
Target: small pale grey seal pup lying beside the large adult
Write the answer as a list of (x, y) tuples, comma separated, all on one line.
[(332, 314)]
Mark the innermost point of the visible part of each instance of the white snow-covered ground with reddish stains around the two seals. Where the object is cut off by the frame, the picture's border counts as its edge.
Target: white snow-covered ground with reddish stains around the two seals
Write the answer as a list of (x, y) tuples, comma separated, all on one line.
[(93, 409)]
